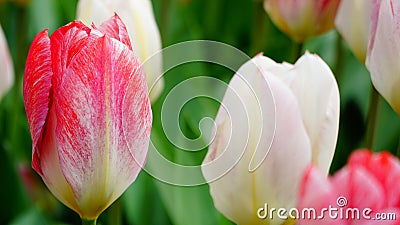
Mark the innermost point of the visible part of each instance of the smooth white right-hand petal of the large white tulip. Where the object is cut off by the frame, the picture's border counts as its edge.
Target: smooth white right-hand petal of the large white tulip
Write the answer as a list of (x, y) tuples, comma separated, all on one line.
[(314, 85)]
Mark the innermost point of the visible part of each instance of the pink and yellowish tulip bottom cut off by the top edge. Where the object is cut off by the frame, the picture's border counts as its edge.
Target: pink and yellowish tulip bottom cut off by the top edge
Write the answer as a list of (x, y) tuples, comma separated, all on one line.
[(302, 19)]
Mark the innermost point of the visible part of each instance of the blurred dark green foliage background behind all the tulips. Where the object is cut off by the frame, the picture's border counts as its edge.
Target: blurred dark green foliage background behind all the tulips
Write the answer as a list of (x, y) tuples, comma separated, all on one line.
[(242, 24)]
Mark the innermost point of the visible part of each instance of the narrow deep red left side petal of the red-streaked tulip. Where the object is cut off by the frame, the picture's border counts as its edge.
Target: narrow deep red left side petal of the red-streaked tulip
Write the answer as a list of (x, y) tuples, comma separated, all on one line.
[(37, 85)]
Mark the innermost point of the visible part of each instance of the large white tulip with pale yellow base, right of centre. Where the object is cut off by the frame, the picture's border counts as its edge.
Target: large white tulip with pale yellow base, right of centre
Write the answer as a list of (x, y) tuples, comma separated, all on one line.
[(298, 125)]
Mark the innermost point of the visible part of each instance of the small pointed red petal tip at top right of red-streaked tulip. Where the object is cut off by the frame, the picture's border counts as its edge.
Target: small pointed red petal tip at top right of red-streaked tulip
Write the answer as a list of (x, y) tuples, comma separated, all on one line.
[(115, 28)]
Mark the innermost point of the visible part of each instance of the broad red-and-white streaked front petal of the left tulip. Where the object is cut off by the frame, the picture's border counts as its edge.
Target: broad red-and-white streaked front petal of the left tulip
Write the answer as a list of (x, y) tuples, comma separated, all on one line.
[(90, 128)]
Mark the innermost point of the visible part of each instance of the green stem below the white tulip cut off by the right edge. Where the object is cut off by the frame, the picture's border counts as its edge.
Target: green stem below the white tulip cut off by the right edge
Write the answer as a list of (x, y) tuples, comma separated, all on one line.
[(372, 118)]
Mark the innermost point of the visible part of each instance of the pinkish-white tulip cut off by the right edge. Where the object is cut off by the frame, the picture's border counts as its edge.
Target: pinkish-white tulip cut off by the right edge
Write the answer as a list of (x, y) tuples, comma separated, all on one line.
[(384, 51)]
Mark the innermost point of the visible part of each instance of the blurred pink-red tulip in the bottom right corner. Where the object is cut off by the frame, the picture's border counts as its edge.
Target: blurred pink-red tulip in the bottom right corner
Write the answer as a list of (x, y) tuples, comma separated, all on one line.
[(369, 182)]
